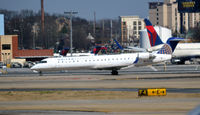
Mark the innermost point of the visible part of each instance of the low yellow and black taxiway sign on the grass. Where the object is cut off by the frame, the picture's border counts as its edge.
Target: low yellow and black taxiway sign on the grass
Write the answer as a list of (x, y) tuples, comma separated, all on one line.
[(152, 92)]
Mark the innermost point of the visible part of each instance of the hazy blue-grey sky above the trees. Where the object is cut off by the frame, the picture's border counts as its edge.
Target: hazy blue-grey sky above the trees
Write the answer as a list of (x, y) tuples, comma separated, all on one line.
[(103, 8)]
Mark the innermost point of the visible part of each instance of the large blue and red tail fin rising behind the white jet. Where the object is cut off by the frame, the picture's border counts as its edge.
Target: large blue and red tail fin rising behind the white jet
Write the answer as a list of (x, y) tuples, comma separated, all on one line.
[(153, 36)]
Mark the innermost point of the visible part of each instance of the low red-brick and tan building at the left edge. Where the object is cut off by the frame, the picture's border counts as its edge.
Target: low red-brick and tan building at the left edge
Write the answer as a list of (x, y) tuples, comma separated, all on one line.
[(9, 51)]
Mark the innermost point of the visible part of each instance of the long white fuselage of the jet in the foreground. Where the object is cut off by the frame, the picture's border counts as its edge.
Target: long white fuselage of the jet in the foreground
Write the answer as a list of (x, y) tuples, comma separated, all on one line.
[(101, 62)]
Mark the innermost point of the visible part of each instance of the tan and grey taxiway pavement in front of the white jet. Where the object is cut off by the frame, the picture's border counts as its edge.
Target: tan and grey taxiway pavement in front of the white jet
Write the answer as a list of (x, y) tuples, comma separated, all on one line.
[(175, 77)]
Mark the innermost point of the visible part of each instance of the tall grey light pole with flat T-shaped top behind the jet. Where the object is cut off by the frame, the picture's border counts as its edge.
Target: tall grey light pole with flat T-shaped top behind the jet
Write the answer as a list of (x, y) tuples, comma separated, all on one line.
[(71, 41)]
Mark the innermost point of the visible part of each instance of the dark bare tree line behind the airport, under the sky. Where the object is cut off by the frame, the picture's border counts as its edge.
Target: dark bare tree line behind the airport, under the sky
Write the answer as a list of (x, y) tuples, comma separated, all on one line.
[(27, 25)]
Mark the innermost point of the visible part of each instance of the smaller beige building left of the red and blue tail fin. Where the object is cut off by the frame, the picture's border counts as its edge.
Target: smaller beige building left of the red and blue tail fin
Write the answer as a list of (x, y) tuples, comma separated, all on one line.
[(130, 27)]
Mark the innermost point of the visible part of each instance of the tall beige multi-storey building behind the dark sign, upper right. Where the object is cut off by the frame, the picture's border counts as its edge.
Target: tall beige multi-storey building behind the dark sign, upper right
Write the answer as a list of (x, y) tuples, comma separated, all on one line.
[(166, 14)]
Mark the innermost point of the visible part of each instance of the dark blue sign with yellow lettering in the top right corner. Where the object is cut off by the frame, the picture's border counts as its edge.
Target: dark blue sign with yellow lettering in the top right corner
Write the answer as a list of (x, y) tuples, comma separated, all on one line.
[(188, 6)]
